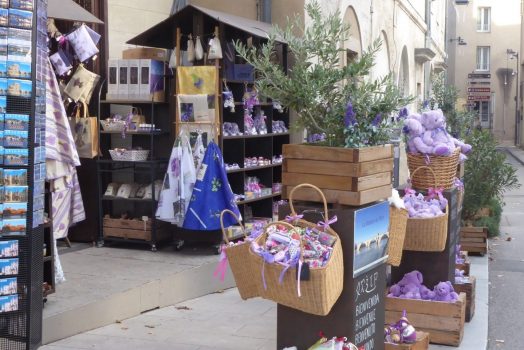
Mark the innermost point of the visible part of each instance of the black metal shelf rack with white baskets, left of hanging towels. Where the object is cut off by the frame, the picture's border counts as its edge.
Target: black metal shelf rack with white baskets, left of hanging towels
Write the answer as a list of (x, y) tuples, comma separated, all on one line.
[(159, 144)]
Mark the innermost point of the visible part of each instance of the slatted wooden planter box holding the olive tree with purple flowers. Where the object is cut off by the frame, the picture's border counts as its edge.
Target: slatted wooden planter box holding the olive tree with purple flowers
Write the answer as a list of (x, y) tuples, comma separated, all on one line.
[(345, 175)]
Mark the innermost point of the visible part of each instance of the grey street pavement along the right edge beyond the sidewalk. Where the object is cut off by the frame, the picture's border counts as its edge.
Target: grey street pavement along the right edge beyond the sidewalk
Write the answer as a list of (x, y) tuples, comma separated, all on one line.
[(506, 269)]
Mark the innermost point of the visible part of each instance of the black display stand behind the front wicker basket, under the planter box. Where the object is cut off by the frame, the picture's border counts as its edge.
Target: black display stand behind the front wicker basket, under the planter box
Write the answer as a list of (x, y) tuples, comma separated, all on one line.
[(358, 314)]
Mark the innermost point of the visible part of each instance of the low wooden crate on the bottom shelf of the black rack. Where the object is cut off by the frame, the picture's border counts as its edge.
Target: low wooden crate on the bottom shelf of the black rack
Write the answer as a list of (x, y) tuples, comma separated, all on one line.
[(134, 229)]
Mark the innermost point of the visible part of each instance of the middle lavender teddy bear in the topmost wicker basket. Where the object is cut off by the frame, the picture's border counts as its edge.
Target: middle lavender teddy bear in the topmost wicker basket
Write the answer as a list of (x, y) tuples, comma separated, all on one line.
[(436, 135)]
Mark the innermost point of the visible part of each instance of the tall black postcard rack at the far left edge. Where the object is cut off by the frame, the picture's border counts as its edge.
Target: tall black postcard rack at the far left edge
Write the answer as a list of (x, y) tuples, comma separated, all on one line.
[(21, 313)]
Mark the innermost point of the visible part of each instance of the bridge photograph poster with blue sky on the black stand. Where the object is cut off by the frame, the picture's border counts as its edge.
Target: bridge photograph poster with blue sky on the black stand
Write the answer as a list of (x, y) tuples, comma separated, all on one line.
[(371, 237)]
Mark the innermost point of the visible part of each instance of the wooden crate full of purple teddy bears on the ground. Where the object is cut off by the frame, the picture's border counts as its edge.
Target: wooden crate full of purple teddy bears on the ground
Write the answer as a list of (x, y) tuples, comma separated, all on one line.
[(443, 321)]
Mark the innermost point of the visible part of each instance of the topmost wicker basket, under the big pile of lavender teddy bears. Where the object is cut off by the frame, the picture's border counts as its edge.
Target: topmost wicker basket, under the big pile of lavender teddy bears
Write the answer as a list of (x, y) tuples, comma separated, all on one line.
[(444, 168)]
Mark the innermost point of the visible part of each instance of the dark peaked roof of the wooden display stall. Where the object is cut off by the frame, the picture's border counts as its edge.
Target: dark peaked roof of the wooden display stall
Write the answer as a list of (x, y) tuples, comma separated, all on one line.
[(160, 34)]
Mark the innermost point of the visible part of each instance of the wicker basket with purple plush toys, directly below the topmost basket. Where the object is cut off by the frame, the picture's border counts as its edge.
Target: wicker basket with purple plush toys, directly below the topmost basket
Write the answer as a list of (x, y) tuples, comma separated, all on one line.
[(427, 234)]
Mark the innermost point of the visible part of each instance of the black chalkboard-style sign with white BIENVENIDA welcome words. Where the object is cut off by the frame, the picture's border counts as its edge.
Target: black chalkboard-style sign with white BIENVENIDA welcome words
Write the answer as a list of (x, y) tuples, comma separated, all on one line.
[(369, 309)]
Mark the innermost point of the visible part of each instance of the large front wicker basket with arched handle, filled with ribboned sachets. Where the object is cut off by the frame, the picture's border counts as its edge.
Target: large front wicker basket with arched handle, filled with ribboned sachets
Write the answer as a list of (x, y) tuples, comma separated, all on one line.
[(325, 284)]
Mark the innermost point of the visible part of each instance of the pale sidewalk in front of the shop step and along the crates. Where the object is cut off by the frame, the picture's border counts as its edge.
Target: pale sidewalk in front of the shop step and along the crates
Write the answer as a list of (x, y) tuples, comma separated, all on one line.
[(223, 321)]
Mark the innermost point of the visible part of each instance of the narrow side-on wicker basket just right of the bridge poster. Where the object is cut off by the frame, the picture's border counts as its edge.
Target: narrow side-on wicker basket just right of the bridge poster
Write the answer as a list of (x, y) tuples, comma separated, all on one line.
[(398, 219)]
